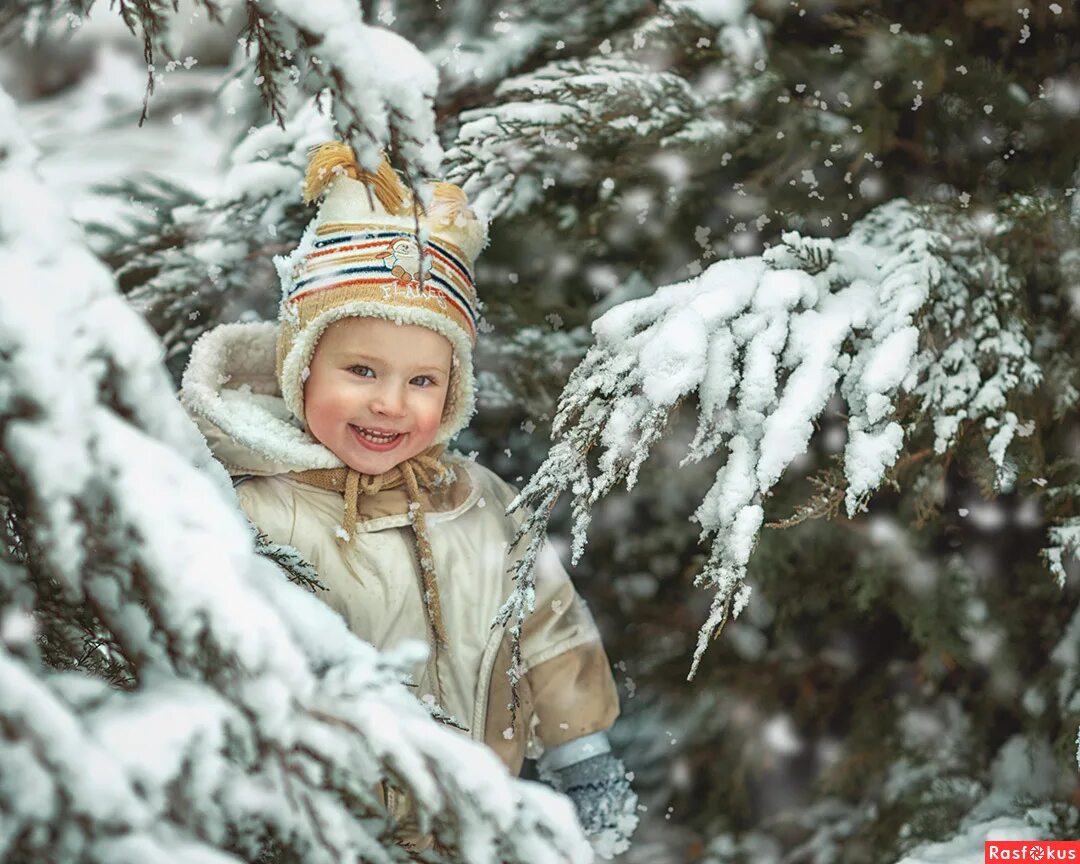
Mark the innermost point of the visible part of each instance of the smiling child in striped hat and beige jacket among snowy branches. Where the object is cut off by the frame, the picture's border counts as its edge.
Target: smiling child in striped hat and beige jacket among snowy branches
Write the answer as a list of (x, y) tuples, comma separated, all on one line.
[(334, 425)]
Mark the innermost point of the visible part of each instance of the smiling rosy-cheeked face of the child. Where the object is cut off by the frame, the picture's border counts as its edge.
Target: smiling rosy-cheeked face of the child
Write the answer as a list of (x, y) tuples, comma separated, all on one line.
[(376, 391)]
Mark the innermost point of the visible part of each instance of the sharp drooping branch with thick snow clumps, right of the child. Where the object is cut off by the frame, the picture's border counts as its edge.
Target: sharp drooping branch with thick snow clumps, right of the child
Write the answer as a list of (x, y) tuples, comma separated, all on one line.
[(910, 316)]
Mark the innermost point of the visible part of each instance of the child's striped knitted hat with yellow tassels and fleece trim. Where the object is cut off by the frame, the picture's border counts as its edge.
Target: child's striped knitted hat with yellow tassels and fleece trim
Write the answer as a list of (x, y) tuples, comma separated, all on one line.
[(361, 256)]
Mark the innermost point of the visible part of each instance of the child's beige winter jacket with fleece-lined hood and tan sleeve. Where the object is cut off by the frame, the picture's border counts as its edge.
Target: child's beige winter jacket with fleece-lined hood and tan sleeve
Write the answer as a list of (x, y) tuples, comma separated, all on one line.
[(568, 690)]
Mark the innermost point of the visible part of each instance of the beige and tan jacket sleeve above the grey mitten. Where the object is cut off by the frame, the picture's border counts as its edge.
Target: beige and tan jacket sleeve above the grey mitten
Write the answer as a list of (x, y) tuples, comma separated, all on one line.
[(569, 672)]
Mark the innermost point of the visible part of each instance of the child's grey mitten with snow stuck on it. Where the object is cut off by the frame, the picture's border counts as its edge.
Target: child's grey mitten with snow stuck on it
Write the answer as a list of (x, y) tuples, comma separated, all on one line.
[(601, 793)]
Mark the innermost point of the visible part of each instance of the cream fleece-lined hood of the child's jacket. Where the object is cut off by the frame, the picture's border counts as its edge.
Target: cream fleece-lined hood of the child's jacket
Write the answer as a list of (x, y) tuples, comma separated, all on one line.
[(231, 389)]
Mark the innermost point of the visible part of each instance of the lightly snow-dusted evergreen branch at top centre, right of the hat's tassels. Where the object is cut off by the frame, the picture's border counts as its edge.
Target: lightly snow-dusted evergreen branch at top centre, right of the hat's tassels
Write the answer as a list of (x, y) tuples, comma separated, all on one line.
[(556, 125)]
